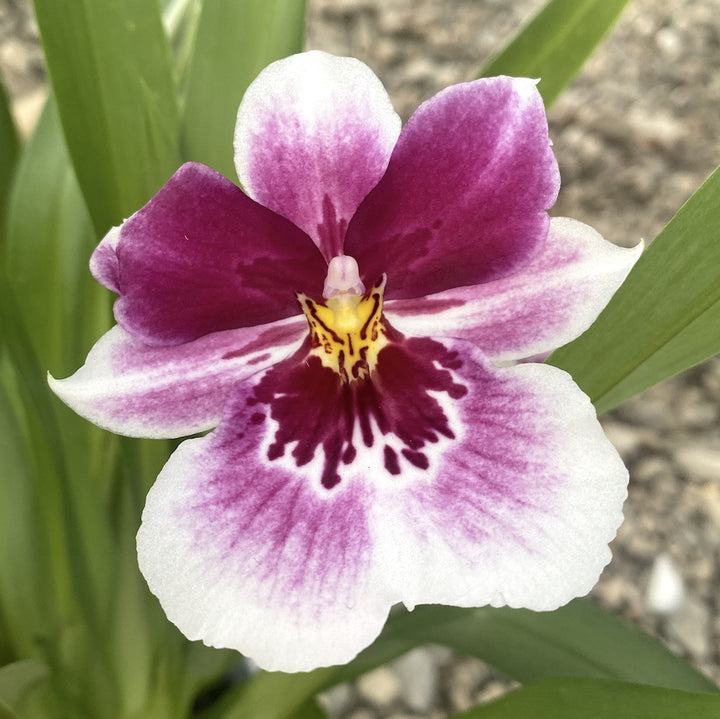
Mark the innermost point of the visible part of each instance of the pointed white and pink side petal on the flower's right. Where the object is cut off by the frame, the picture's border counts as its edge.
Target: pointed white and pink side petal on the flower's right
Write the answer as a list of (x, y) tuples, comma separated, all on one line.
[(535, 310)]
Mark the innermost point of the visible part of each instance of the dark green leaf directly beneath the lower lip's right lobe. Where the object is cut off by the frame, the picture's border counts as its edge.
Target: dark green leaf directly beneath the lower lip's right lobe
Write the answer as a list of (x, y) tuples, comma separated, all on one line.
[(579, 639)]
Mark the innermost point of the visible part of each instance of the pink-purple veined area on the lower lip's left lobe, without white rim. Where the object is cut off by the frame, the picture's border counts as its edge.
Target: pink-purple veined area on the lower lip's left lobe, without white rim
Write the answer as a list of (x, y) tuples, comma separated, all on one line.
[(243, 510)]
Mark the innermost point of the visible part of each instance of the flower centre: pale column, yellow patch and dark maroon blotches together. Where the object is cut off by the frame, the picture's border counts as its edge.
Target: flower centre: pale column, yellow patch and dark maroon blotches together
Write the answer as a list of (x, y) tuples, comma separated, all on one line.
[(358, 385)]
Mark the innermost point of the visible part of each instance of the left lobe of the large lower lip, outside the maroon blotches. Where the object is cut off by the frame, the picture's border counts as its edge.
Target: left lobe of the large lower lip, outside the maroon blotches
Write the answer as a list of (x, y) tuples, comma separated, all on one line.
[(245, 554)]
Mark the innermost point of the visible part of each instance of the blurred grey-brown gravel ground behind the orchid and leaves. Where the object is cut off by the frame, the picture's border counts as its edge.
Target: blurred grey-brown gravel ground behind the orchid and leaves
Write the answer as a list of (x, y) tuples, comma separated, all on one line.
[(635, 134)]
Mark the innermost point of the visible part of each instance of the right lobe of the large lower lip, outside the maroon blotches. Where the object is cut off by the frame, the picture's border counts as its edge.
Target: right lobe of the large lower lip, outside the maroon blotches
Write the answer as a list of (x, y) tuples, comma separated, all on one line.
[(522, 506)]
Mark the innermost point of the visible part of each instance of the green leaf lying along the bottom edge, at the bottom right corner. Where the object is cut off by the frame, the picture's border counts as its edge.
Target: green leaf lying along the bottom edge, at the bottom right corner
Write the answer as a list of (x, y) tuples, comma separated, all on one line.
[(596, 699)]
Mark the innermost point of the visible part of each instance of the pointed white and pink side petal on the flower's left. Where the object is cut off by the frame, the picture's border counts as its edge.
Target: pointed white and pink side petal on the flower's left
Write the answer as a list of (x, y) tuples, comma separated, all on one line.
[(143, 391)]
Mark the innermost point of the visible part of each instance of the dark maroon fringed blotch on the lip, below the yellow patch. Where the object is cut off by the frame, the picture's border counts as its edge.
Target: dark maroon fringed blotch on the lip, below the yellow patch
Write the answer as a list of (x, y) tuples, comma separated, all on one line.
[(315, 409)]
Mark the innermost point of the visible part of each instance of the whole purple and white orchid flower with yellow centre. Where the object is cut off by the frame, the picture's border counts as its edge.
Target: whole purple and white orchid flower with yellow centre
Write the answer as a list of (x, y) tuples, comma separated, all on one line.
[(351, 327)]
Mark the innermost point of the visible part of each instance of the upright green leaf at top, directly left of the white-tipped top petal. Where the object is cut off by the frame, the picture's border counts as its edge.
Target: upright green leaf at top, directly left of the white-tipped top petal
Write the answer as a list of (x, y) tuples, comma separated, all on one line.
[(234, 42)]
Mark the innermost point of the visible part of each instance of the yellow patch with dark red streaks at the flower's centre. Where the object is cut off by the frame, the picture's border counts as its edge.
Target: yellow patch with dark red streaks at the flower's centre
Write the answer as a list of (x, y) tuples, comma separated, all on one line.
[(347, 331)]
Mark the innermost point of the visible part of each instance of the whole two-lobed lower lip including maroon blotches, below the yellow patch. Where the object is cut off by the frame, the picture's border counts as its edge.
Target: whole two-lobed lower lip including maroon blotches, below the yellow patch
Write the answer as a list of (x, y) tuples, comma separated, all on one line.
[(497, 487)]
